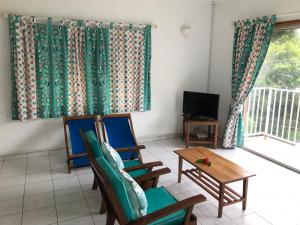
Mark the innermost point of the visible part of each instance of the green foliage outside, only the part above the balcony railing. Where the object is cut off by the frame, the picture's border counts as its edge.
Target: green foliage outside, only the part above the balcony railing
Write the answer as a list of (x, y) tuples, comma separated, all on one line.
[(281, 68)]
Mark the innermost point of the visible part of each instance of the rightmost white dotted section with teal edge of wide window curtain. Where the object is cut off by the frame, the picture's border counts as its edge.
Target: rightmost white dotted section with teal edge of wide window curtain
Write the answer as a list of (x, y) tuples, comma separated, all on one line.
[(129, 68)]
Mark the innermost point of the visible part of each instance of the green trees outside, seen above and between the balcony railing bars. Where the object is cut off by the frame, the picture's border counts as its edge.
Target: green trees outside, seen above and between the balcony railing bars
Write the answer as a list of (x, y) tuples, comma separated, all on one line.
[(281, 69)]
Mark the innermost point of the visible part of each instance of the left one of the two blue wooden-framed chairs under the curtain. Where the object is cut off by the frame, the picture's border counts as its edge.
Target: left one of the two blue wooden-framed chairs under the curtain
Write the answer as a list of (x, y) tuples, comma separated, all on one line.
[(77, 153)]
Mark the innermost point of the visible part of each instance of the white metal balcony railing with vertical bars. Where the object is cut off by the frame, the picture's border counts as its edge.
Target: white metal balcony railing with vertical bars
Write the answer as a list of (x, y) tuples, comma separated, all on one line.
[(273, 112)]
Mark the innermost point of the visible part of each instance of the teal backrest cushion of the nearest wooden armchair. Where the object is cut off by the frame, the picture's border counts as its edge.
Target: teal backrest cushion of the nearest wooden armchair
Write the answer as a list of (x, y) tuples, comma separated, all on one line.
[(119, 187)]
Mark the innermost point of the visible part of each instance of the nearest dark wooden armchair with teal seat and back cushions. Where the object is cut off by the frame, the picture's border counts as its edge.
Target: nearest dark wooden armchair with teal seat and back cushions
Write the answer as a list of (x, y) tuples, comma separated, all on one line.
[(170, 212)]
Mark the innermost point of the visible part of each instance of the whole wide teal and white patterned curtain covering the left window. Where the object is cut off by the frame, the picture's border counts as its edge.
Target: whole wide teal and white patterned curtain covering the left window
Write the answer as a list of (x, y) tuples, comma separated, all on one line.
[(78, 68)]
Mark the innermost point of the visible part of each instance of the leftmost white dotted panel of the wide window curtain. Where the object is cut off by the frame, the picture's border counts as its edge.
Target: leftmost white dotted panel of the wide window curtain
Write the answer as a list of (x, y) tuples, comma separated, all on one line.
[(23, 68)]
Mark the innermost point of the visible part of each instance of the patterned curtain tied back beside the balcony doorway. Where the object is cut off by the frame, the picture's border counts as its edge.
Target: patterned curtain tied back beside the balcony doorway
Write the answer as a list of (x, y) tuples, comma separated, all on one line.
[(251, 42)]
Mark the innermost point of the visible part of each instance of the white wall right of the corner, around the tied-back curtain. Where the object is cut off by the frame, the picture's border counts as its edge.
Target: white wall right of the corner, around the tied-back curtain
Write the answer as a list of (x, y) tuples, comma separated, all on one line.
[(225, 12)]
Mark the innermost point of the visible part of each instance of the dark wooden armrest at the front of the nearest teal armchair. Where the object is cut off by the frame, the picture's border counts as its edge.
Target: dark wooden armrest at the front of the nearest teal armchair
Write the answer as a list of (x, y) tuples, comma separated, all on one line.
[(180, 205)]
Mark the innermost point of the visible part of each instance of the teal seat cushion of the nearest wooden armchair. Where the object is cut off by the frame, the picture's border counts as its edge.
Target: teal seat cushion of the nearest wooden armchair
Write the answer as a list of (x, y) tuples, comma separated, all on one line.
[(159, 198)]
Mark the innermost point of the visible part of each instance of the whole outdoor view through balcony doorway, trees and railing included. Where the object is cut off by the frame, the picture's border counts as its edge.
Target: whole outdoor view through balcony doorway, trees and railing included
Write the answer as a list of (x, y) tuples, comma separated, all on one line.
[(273, 107)]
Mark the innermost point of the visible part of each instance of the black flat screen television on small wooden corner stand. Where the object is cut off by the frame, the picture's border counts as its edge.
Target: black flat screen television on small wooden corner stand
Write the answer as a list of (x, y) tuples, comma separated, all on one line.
[(200, 105)]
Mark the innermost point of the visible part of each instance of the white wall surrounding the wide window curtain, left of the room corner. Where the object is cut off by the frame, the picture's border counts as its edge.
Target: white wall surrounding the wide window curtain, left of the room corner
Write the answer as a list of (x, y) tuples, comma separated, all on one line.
[(178, 63)]
